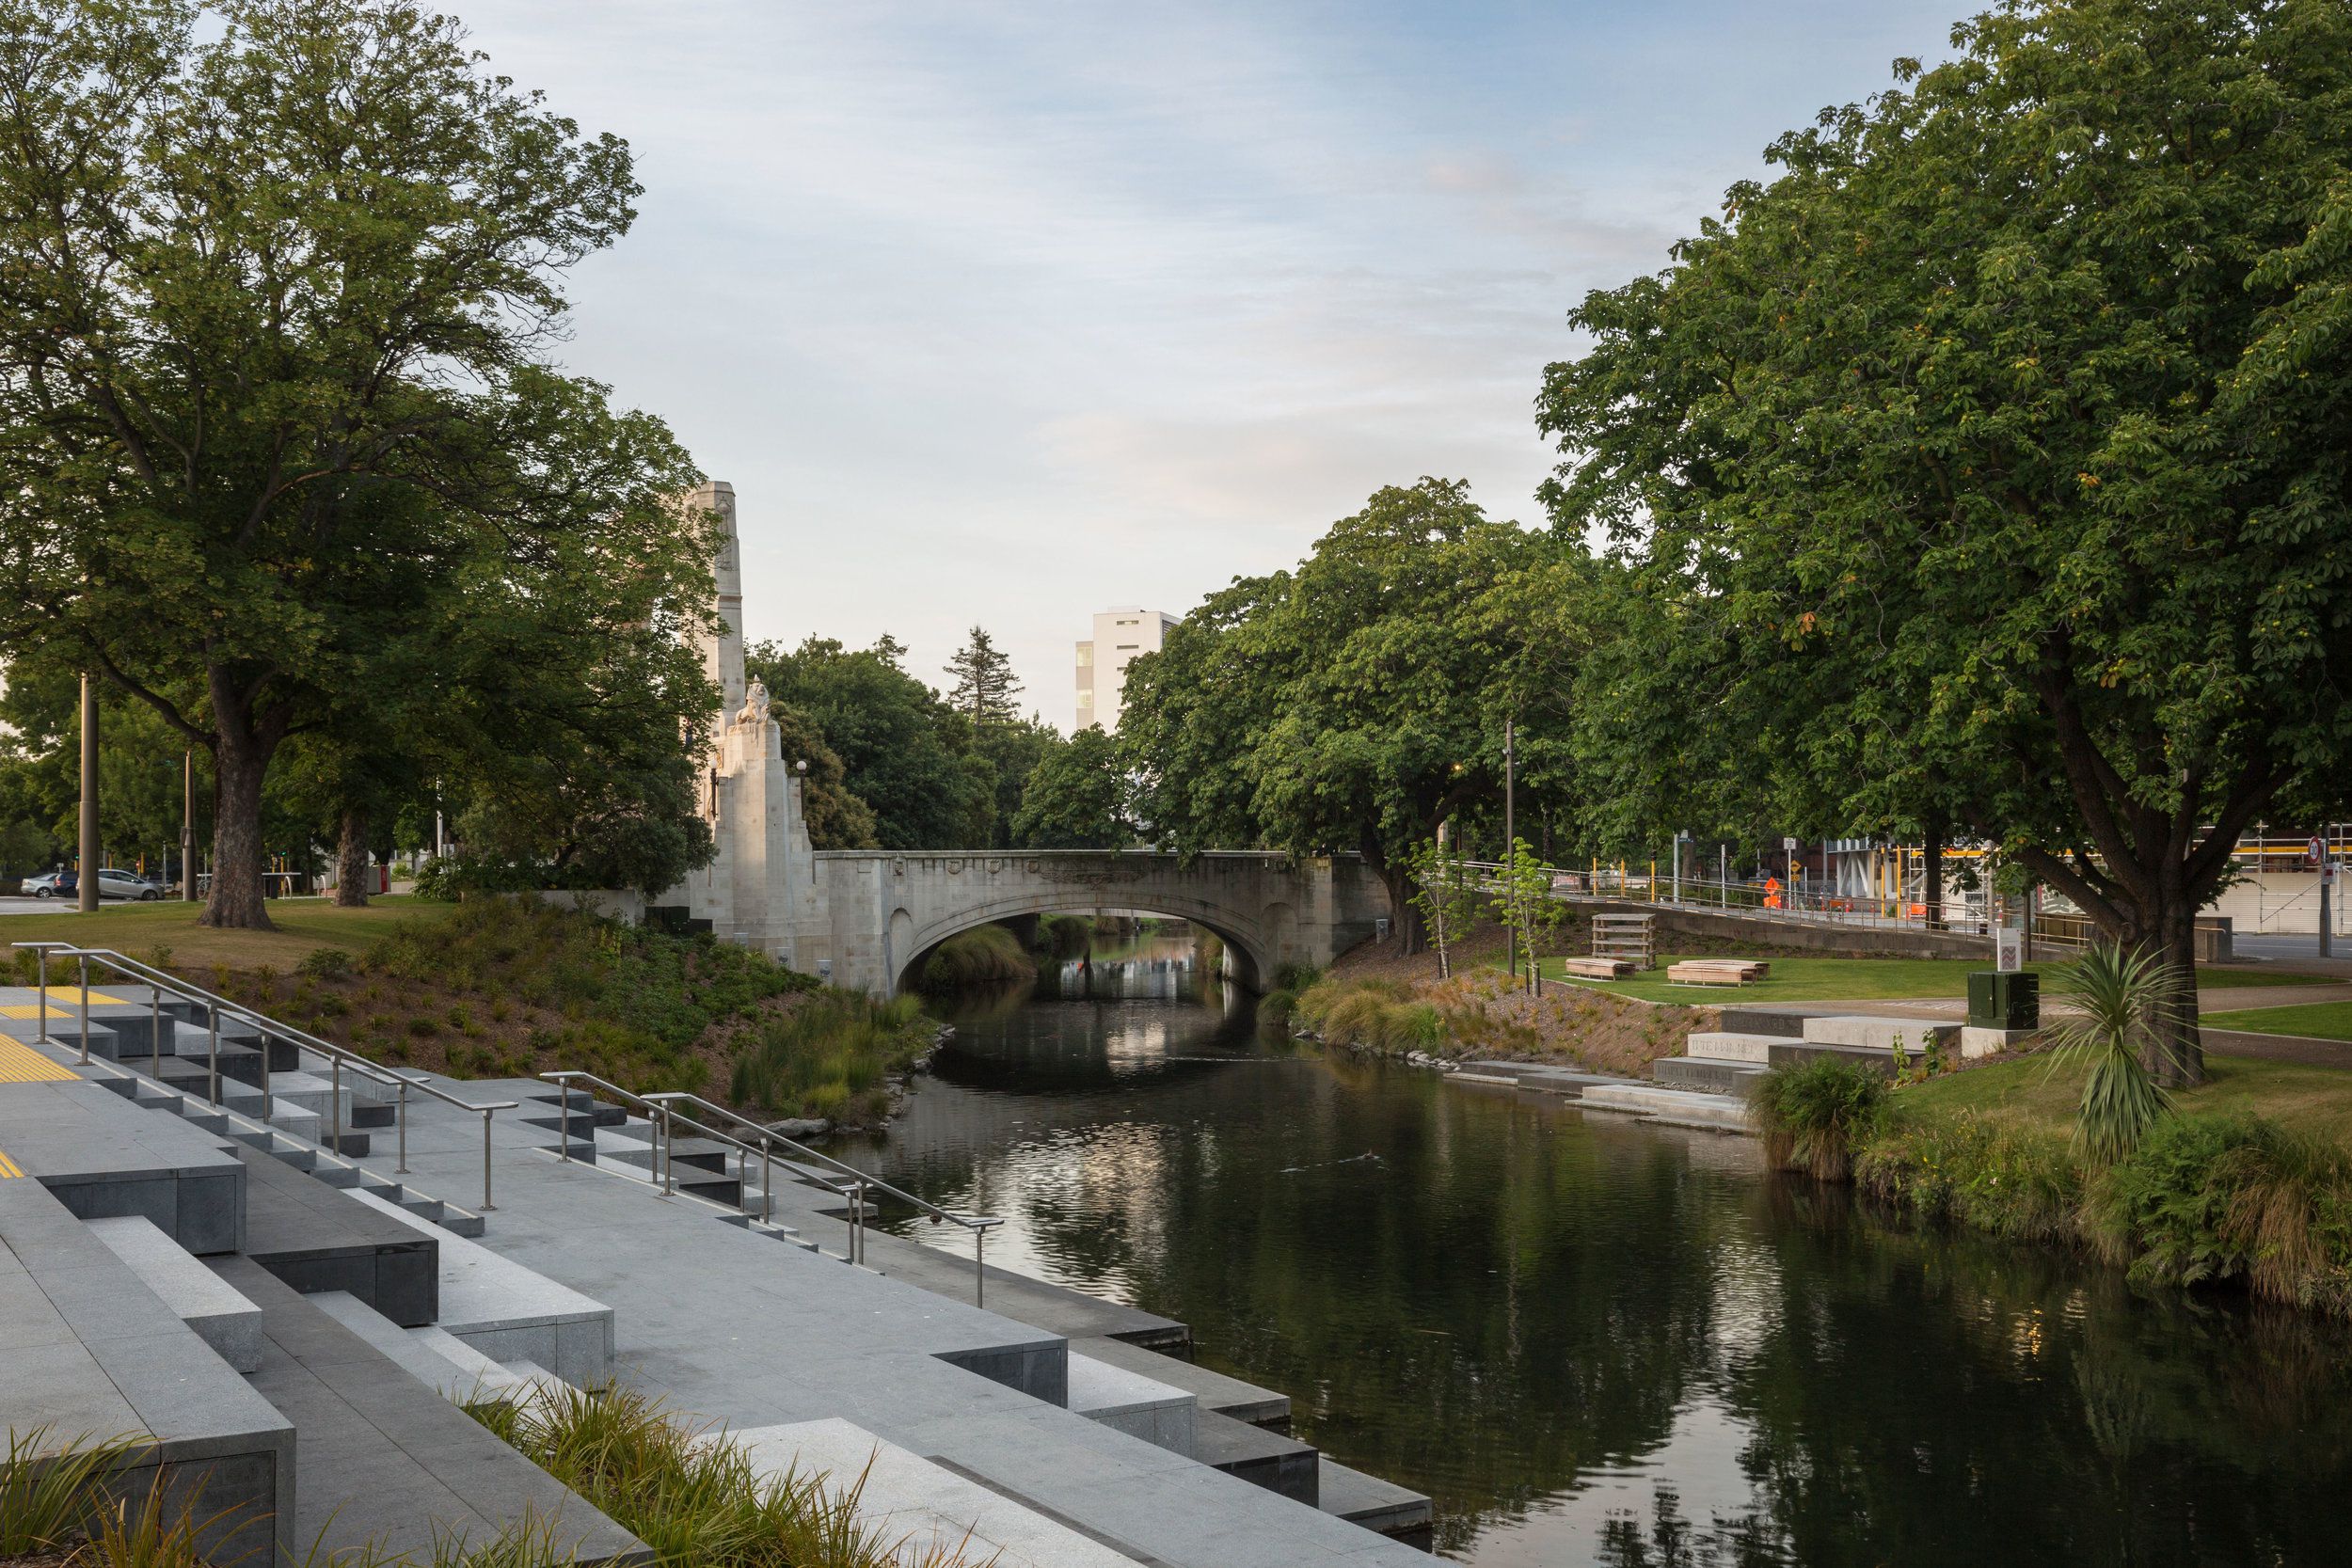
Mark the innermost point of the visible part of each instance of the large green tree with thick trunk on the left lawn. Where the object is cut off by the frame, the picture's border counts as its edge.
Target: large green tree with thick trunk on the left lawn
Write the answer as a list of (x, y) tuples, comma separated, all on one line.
[(276, 279)]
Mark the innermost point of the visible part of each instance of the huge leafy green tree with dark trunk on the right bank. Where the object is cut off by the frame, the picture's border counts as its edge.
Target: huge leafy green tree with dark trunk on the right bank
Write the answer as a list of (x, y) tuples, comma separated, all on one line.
[(1989, 462)]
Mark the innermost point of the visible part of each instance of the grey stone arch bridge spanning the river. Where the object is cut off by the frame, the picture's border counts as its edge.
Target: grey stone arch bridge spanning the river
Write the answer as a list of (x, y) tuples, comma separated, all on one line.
[(888, 909)]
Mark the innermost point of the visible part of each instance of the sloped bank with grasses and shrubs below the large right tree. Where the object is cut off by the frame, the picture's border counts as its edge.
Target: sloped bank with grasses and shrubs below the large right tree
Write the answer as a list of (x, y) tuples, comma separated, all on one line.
[(2247, 1186)]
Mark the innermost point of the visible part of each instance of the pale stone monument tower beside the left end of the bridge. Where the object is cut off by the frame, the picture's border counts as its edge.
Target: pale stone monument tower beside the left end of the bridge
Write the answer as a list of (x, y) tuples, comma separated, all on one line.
[(761, 887)]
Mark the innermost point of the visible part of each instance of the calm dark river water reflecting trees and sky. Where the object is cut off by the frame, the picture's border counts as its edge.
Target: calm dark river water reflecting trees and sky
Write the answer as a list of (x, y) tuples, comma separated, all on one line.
[(1605, 1343)]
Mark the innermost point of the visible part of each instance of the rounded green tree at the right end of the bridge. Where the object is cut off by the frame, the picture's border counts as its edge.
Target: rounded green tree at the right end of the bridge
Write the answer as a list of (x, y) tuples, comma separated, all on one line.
[(1356, 704)]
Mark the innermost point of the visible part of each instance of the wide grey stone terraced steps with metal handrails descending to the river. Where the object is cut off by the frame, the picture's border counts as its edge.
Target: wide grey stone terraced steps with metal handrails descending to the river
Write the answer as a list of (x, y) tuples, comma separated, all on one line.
[(208, 1238)]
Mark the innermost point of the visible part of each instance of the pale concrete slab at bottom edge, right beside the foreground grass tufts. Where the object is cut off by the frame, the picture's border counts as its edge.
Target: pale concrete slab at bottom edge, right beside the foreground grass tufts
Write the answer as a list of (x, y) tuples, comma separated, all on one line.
[(930, 1506)]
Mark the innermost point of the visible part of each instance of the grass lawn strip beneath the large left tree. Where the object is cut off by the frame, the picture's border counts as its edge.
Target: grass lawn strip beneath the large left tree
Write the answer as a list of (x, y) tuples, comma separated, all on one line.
[(305, 925)]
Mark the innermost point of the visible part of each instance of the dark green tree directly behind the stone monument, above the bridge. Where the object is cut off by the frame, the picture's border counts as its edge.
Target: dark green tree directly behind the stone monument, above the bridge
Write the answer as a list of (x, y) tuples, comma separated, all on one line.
[(900, 746)]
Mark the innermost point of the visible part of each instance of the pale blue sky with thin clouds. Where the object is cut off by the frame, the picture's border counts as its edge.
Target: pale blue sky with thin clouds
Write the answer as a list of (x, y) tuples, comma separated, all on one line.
[(1008, 314)]
